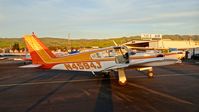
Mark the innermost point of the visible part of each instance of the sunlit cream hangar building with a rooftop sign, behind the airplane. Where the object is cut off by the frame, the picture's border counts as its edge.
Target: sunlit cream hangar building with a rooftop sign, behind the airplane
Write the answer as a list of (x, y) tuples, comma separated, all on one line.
[(156, 41)]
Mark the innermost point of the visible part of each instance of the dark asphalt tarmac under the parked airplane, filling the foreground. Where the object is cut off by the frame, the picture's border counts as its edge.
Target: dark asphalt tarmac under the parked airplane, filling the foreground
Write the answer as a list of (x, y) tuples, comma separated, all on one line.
[(173, 89)]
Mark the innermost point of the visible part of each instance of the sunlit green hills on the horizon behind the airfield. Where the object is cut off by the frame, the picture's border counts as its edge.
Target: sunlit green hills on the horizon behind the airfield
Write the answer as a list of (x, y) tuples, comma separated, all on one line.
[(60, 43)]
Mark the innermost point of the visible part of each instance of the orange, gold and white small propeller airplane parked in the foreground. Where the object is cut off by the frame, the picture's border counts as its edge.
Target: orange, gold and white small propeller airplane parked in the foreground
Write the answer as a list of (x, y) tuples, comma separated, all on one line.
[(115, 58)]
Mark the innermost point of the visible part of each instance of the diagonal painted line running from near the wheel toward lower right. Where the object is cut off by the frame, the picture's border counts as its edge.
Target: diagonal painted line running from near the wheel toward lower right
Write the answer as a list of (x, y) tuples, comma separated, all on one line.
[(160, 93)]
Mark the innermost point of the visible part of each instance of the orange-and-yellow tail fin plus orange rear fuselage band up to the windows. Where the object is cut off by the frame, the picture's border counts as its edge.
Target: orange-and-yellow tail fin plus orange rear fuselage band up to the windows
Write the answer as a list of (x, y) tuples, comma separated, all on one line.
[(42, 55)]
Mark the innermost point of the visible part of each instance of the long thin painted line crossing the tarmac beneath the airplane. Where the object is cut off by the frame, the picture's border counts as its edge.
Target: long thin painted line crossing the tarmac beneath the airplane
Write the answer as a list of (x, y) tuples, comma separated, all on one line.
[(85, 80)]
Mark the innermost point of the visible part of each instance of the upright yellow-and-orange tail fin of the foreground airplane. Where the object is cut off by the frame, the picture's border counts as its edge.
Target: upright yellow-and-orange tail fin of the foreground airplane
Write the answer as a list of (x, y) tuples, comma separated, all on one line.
[(38, 51)]
